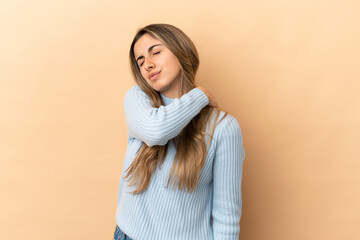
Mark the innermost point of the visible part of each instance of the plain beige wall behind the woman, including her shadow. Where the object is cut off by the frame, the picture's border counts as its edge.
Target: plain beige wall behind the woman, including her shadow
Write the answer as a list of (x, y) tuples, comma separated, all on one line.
[(287, 70)]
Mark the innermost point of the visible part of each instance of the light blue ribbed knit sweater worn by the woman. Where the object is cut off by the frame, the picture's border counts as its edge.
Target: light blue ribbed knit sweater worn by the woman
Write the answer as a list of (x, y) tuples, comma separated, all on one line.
[(213, 209)]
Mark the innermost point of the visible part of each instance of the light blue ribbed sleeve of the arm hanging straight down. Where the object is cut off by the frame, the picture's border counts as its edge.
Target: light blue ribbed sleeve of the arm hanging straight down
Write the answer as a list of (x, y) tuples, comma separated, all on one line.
[(227, 177)]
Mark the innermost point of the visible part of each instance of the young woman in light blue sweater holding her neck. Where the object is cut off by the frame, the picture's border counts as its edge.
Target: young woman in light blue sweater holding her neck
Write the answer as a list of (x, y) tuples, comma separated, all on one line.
[(182, 169)]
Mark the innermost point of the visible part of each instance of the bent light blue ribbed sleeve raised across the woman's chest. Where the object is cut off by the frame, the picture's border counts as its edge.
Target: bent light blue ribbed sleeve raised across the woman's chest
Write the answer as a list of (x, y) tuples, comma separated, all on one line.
[(156, 126)]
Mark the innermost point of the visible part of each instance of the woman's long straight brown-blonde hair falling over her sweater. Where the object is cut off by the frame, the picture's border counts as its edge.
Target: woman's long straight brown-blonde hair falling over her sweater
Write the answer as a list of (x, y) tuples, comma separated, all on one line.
[(190, 144)]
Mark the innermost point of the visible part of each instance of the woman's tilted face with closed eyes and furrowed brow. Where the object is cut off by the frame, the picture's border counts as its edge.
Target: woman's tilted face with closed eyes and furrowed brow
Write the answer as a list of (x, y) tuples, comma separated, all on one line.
[(158, 66)]
